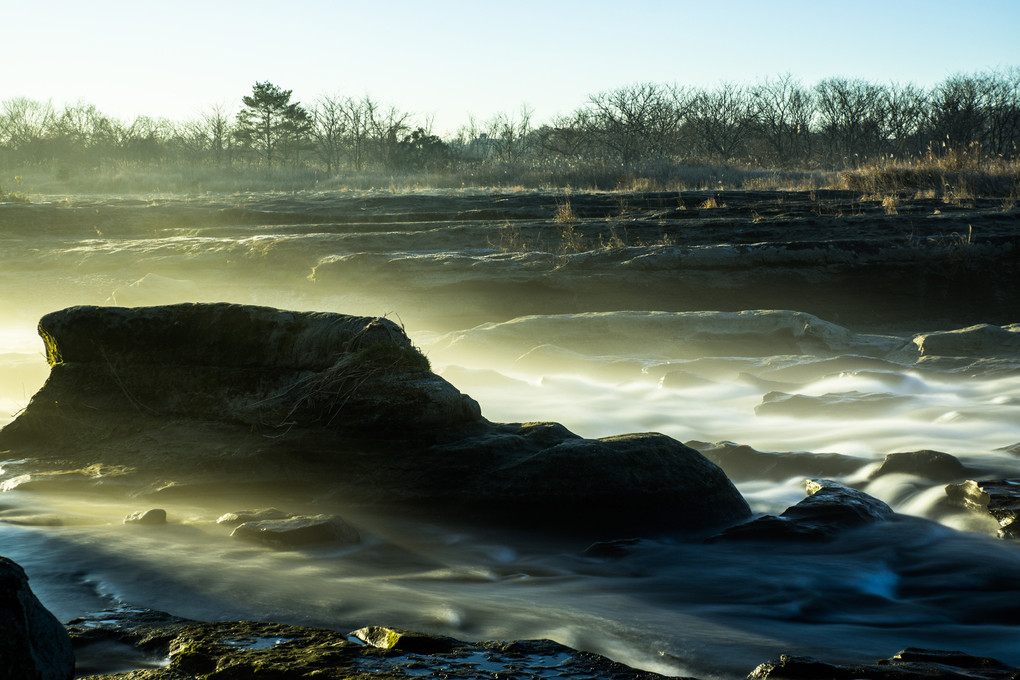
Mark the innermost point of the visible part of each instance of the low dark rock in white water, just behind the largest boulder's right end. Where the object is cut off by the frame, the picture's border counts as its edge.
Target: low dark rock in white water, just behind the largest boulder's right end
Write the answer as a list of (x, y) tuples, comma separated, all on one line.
[(742, 462)]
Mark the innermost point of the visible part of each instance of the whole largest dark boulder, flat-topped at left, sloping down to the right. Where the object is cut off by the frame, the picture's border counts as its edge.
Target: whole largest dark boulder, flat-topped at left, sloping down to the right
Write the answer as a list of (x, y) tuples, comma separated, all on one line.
[(186, 399)]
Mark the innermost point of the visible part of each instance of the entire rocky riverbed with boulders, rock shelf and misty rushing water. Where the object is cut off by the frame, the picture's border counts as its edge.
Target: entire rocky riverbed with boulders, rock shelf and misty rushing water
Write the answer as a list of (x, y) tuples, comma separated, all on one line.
[(844, 375)]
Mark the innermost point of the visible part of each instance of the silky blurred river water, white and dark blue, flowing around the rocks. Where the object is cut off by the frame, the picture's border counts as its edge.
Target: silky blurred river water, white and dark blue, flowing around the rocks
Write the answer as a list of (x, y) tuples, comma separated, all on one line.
[(935, 578)]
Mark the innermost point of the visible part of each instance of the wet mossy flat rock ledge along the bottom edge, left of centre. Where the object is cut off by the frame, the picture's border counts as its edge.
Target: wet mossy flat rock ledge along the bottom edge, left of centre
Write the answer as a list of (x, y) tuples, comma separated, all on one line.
[(248, 650)]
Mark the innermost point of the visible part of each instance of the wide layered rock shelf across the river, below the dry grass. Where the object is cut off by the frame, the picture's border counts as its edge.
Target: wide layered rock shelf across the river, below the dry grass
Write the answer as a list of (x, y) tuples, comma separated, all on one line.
[(495, 254)]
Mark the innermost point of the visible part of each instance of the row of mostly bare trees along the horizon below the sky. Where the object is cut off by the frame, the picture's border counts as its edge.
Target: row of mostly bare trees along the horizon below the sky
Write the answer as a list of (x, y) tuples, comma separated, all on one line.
[(836, 124)]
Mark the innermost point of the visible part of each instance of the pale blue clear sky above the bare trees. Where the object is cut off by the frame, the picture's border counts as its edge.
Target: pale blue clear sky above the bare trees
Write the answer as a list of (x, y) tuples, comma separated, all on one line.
[(448, 61)]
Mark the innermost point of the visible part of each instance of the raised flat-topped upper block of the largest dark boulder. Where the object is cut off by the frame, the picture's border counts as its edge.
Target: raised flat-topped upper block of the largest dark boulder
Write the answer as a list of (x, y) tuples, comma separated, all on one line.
[(256, 365)]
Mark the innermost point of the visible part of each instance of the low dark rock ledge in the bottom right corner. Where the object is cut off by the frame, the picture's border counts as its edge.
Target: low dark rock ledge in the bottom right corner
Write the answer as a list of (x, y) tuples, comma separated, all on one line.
[(911, 664)]
